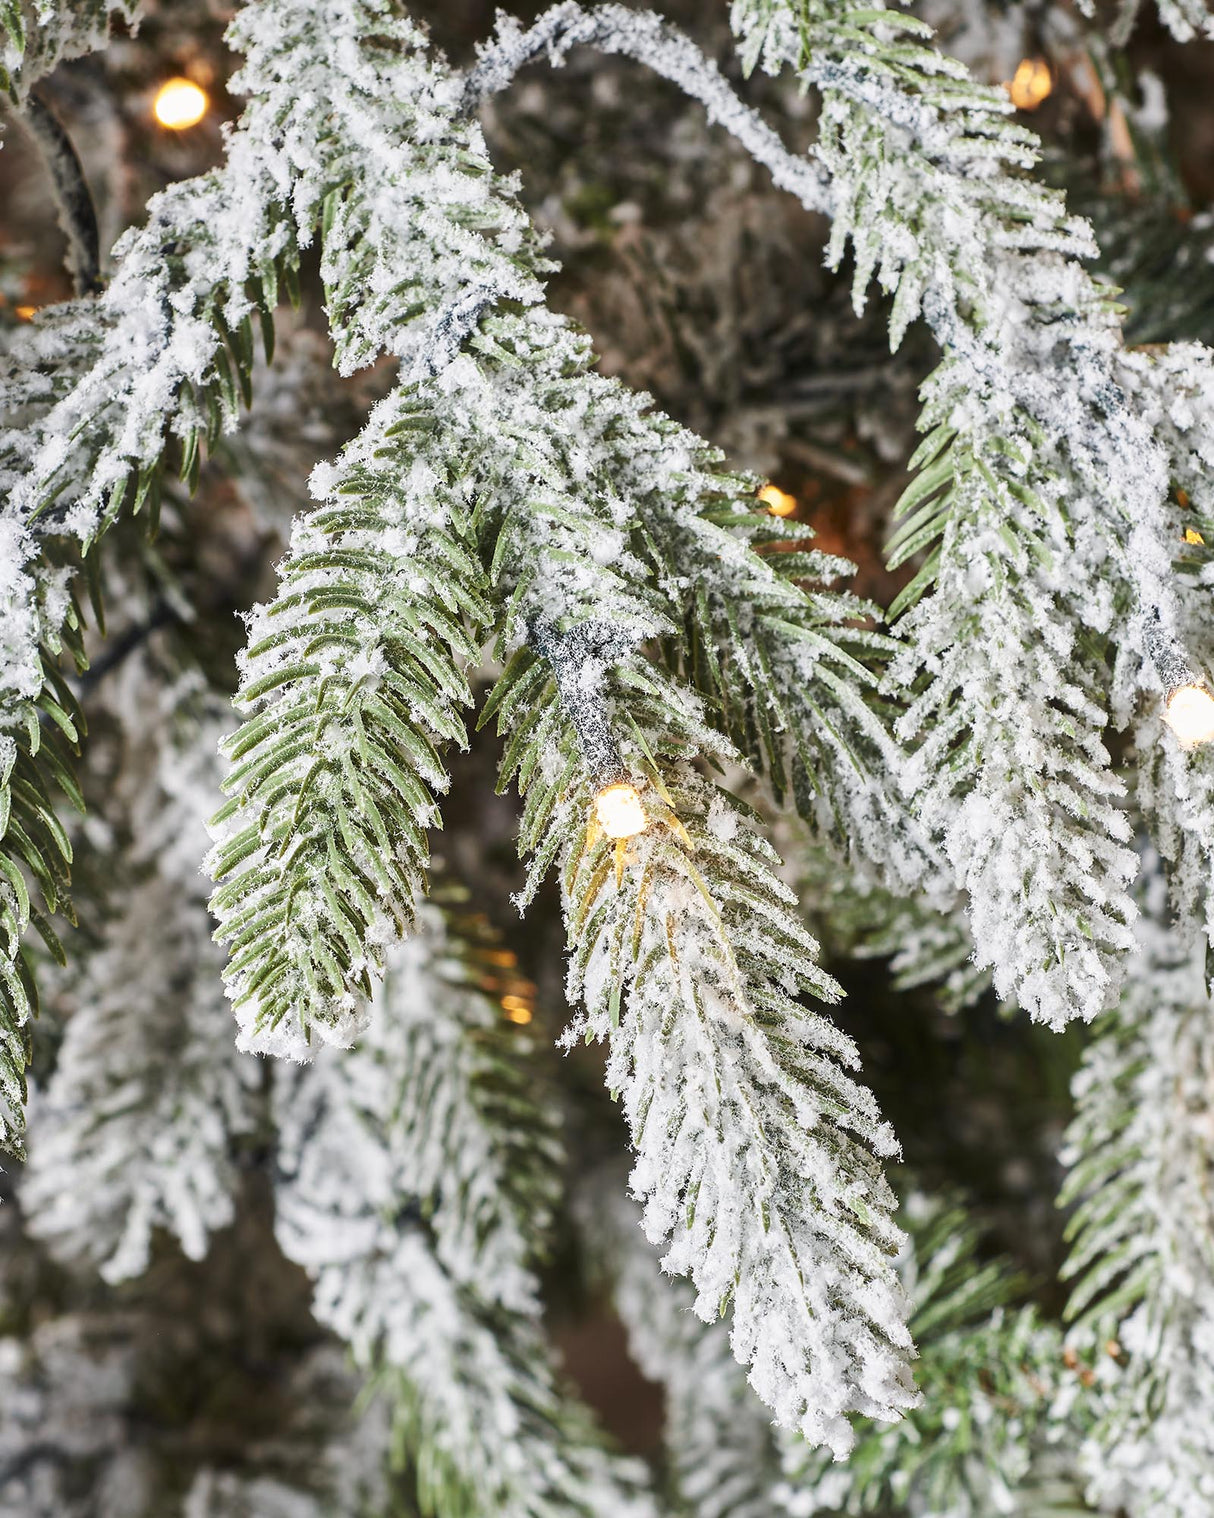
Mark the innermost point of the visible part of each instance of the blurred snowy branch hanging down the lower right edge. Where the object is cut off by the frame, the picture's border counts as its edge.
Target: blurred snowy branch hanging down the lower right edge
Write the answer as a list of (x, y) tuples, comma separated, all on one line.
[(1142, 1164)]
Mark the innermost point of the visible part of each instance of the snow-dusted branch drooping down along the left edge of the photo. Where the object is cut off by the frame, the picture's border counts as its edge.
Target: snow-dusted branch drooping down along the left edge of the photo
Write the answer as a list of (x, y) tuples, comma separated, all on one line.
[(87, 397)]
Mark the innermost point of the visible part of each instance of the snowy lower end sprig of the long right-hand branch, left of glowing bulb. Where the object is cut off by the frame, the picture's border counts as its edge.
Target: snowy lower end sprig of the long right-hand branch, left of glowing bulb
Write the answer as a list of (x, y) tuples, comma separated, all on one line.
[(1011, 770)]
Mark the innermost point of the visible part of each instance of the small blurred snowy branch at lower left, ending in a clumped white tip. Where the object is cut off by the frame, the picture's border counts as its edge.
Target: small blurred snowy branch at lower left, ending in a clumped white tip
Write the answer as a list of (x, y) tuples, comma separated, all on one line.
[(139, 1124)]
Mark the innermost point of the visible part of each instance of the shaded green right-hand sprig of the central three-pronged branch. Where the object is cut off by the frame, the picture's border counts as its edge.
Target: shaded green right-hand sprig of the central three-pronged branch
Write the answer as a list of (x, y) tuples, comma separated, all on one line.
[(788, 673)]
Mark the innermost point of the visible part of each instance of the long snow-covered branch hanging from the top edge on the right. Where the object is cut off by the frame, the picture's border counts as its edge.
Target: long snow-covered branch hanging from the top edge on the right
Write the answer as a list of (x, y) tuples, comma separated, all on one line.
[(1039, 502)]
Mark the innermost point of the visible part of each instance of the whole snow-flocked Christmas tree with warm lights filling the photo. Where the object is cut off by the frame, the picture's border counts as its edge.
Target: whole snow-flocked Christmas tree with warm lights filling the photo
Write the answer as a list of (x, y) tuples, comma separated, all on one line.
[(658, 640)]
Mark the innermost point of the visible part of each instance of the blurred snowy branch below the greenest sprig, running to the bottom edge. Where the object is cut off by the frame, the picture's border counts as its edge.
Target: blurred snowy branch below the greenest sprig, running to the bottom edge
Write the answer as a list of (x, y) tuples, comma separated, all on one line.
[(420, 1238)]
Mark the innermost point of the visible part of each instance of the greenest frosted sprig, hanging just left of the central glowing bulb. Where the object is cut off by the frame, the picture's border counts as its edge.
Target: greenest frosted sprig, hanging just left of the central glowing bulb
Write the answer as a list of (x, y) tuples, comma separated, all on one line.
[(356, 673)]
